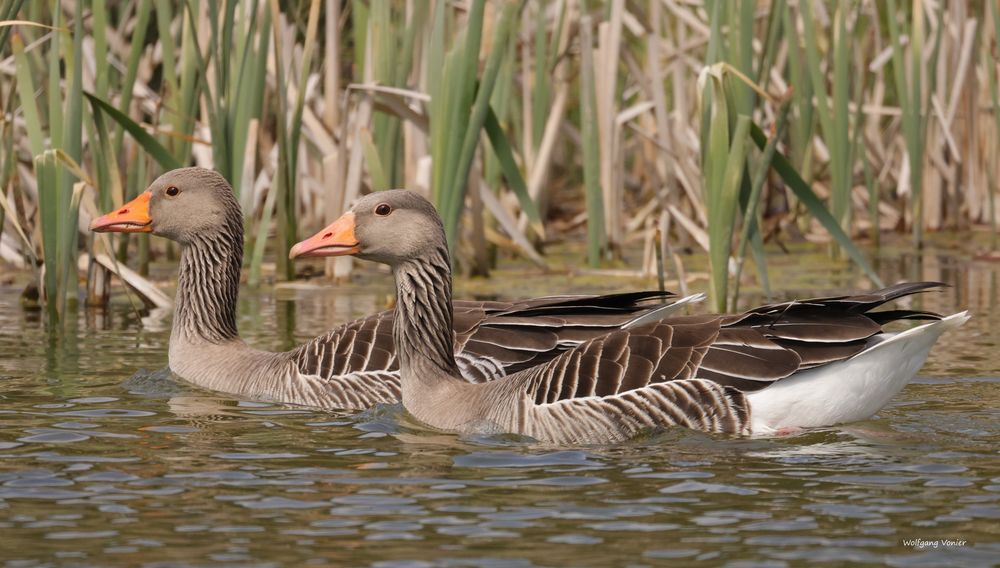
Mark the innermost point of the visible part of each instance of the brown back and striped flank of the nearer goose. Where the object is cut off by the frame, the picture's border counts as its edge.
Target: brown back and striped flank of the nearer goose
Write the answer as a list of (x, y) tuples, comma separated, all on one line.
[(692, 371)]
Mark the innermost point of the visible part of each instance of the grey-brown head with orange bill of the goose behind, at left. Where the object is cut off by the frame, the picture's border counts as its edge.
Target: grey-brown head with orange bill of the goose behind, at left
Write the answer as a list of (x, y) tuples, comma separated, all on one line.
[(179, 205)]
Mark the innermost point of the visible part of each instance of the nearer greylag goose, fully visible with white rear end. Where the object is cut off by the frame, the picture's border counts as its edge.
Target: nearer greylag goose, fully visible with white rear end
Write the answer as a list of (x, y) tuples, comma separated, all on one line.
[(782, 366)]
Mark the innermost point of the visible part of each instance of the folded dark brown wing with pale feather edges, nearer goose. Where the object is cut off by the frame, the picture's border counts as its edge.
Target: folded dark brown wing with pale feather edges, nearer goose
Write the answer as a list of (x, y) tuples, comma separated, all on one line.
[(746, 352)]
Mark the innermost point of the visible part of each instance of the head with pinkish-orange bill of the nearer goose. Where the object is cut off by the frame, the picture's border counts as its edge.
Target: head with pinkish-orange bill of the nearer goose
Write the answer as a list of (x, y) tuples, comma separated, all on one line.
[(391, 227)]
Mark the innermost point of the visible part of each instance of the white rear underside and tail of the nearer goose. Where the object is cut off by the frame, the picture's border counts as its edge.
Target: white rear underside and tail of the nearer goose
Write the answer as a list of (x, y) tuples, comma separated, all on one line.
[(848, 390)]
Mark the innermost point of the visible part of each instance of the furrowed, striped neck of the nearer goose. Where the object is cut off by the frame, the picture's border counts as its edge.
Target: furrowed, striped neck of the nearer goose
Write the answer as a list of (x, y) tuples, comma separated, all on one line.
[(423, 323)]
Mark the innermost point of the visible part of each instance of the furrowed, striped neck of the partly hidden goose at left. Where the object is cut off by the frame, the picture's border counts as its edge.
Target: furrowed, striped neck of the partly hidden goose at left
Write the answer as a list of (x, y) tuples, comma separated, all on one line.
[(208, 285)]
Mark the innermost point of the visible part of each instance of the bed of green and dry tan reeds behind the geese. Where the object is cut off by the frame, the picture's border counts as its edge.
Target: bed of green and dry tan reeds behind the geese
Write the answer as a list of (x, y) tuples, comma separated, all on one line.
[(730, 127)]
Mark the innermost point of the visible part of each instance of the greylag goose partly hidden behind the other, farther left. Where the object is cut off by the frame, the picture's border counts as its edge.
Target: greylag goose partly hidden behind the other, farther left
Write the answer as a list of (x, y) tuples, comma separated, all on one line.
[(354, 366)]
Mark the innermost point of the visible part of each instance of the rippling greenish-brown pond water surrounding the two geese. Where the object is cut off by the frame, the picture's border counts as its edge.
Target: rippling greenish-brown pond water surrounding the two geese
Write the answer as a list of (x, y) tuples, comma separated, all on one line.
[(105, 458)]
